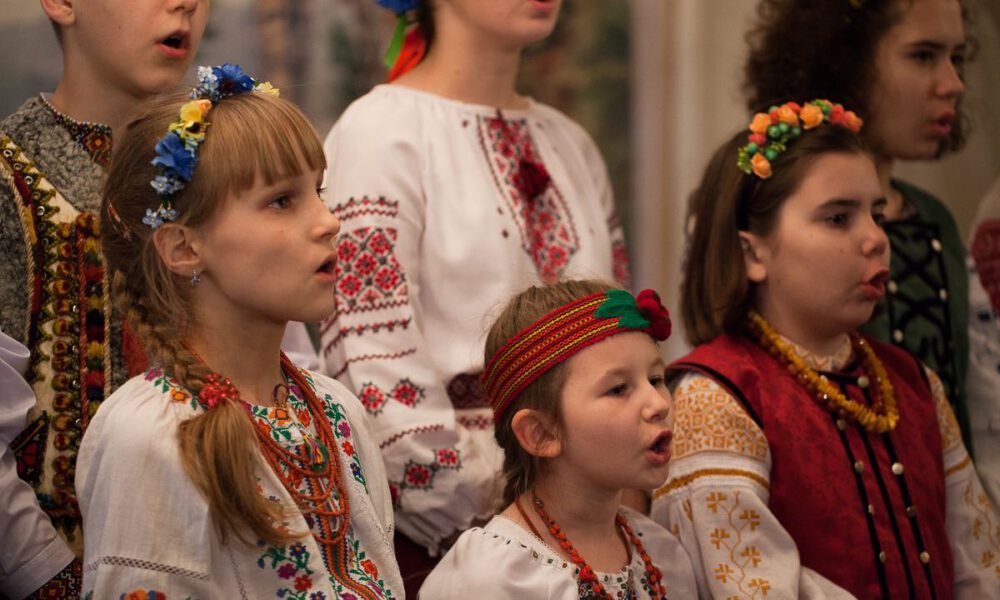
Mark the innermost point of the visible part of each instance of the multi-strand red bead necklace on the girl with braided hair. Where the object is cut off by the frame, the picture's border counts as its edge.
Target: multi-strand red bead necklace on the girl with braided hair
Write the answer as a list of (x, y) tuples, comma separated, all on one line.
[(313, 462)]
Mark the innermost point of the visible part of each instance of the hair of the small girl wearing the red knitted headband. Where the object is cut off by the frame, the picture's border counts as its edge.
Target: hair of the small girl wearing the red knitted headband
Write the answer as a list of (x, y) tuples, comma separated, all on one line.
[(521, 470)]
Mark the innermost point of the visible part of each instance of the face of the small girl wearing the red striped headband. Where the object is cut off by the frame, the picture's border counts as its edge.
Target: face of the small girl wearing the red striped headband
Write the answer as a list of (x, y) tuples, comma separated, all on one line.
[(616, 415)]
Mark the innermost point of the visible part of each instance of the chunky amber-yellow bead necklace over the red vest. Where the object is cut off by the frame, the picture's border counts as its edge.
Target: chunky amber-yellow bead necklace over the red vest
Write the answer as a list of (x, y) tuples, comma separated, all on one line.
[(883, 414)]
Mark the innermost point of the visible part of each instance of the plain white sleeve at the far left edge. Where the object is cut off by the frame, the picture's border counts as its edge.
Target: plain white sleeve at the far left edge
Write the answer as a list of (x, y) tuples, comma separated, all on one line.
[(32, 552)]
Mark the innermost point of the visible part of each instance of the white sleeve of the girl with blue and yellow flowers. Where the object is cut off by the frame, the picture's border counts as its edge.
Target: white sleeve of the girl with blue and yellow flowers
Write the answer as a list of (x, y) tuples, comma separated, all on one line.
[(146, 526)]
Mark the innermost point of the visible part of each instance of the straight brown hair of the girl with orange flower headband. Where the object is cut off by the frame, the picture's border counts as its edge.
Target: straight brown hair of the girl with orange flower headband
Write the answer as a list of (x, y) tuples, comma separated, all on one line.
[(716, 295)]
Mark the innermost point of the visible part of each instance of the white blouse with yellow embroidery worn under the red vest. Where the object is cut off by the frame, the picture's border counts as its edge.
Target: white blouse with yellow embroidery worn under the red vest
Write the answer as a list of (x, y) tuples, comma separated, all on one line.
[(719, 452)]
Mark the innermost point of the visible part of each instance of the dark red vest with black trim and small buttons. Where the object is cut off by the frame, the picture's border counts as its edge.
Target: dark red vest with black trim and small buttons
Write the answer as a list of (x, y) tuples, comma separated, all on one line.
[(866, 511)]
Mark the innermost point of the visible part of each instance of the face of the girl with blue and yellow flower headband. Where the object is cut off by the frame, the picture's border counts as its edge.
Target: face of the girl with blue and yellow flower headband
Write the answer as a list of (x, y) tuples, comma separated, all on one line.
[(268, 254)]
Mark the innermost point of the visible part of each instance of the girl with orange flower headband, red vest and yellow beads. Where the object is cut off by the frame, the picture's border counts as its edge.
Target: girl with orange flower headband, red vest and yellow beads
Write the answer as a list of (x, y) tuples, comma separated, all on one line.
[(809, 460)]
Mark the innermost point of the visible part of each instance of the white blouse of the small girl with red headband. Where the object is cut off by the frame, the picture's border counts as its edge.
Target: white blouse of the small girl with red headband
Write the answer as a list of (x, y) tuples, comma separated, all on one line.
[(503, 560)]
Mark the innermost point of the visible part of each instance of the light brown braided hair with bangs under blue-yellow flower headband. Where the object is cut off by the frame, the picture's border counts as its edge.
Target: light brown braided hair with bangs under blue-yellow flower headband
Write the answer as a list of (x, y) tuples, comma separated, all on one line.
[(250, 137)]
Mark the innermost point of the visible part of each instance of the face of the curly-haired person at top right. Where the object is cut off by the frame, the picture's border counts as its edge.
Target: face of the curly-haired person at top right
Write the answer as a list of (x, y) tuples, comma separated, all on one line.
[(917, 86)]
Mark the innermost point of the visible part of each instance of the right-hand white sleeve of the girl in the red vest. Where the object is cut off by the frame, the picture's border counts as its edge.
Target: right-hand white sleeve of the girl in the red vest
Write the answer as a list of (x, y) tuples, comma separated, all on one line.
[(971, 520)]
